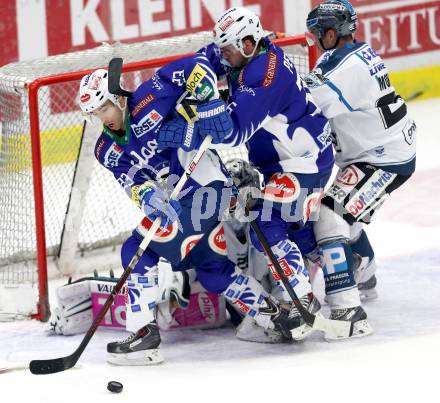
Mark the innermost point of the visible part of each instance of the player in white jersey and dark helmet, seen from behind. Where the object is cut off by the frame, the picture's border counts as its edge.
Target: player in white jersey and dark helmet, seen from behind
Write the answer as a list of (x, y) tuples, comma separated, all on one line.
[(374, 142)]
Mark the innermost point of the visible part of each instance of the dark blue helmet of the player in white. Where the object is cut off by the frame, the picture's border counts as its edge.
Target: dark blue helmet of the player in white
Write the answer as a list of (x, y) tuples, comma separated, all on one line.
[(332, 14)]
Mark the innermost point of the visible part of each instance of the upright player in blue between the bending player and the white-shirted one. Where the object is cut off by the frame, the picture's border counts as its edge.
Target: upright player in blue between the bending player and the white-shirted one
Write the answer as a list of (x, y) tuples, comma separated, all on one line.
[(287, 137)]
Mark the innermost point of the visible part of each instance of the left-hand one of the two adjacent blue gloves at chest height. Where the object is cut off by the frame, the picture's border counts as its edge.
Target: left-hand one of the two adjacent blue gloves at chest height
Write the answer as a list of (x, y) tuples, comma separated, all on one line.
[(177, 133)]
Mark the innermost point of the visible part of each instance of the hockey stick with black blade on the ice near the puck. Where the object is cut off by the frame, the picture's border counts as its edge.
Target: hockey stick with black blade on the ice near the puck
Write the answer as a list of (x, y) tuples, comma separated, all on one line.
[(40, 367)]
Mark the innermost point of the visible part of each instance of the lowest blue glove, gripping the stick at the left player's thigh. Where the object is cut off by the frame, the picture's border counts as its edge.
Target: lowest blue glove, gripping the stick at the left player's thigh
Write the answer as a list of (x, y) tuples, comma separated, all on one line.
[(152, 200)]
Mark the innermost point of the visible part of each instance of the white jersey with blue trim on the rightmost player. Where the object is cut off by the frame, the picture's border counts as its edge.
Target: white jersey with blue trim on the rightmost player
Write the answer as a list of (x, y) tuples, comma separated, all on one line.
[(369, 120)]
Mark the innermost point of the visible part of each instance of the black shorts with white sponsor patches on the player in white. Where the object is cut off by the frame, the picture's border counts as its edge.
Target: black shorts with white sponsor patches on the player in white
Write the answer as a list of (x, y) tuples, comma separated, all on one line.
[(359, 190)]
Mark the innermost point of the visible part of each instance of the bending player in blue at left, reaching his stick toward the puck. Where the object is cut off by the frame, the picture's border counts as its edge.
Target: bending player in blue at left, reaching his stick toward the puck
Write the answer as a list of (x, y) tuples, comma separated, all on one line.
[(190, 233)]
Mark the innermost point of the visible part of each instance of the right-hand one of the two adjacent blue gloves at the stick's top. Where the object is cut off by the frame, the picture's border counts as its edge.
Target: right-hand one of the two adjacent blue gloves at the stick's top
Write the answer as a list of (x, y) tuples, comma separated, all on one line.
[(214, 120)]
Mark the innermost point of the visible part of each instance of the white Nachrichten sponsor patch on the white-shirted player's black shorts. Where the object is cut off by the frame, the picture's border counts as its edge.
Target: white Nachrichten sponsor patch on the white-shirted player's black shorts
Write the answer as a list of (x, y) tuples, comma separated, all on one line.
[(373, 189)]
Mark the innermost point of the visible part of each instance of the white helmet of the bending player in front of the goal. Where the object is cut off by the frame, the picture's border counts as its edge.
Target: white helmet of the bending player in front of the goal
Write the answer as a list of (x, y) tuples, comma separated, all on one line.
[(93, 91)]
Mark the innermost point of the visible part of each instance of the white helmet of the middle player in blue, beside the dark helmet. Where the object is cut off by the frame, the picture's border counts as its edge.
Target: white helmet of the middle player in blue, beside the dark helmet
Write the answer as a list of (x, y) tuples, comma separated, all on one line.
[(236, 24)]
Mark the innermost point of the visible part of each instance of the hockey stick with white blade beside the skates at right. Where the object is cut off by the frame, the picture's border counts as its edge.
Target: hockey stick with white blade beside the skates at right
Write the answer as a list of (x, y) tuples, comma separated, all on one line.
[(336, 328)]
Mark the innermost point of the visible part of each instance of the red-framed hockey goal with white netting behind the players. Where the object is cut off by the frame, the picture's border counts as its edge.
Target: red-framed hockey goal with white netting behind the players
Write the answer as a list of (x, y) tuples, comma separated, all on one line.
[(53, 195)]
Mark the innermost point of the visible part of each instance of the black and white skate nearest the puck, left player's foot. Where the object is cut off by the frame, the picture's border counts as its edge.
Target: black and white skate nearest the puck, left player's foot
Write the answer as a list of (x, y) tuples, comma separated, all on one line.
[(140, 348)]
